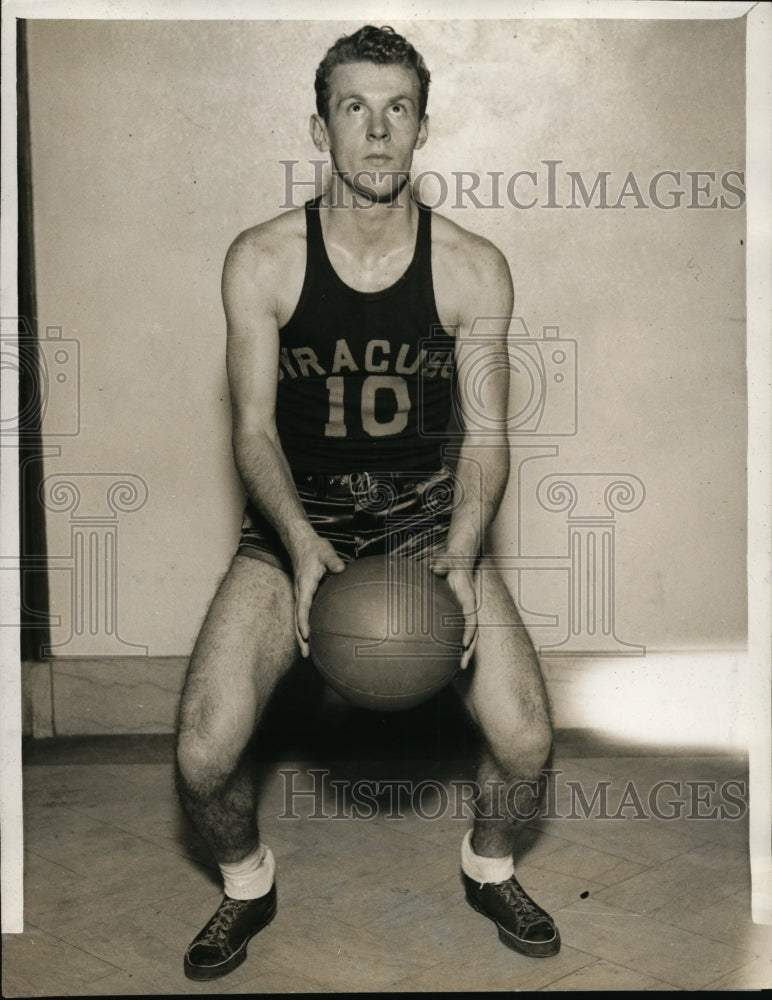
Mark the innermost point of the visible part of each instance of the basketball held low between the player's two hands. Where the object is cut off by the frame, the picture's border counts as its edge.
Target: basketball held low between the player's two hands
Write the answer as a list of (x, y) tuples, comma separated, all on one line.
[(386, 633)]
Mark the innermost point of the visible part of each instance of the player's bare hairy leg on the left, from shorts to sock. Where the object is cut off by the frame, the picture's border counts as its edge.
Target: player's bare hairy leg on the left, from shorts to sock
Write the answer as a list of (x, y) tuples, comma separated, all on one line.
[(246, 644)]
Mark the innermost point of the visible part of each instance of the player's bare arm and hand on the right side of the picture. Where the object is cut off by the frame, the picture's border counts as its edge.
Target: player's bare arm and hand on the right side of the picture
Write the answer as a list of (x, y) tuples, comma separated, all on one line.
[(483, 466)]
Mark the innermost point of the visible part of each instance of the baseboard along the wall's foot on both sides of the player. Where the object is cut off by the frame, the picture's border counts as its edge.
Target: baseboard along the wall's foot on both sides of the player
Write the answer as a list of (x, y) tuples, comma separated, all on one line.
[(686, 698)]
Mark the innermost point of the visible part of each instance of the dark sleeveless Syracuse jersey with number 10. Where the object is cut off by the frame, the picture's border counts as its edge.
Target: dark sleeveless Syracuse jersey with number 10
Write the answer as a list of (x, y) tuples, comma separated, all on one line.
[(365, 378)]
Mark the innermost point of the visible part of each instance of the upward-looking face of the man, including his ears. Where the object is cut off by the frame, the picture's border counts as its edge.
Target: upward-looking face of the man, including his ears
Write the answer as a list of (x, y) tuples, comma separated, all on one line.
[(373, 126)]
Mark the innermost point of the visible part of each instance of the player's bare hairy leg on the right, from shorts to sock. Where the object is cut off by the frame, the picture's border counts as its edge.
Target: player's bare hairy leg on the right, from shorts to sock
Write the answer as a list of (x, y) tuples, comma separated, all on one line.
[(504, 692)]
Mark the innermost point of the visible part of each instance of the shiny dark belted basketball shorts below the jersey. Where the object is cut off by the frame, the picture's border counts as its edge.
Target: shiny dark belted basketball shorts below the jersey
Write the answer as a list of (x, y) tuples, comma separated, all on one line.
[(363, 514)]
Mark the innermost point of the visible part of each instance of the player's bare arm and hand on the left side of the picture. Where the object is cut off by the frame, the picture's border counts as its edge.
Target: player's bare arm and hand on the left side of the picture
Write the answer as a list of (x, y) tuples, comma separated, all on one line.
[(249, 287)]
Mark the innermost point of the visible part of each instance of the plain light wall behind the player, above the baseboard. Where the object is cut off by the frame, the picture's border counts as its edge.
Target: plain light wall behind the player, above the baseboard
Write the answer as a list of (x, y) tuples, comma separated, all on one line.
[(155, 143)]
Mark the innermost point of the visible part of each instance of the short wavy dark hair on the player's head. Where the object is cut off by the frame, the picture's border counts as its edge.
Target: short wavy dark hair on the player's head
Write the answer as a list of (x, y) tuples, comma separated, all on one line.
[(382, 46)]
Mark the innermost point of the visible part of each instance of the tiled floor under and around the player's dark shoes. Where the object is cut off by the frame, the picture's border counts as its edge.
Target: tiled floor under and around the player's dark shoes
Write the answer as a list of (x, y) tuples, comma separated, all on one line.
[(117, 884)]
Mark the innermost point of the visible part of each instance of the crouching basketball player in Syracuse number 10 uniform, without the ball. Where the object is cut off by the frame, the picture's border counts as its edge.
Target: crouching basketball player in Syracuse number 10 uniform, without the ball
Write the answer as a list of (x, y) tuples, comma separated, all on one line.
[(346, 320)]
